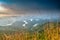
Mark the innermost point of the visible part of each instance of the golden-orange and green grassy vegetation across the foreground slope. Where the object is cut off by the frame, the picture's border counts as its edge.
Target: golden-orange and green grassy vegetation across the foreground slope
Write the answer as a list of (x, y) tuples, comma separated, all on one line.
[(51, 31)]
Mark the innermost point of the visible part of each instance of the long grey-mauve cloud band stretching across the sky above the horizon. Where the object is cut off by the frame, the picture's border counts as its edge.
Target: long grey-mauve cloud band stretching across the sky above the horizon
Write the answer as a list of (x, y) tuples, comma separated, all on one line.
[(19, 10)]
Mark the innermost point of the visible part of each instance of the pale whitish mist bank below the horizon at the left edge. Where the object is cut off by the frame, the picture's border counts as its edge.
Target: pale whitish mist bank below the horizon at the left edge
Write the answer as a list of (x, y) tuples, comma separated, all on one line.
[(7, 21)]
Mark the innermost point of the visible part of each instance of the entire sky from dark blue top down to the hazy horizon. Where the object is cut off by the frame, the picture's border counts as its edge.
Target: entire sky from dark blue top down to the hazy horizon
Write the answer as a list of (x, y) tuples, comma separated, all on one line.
[(29, 7)]
